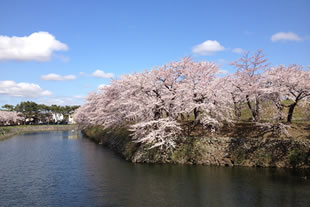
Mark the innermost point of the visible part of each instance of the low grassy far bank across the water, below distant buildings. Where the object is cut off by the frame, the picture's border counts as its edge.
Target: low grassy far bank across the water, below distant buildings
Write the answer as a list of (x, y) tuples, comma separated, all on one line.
[(9, 131)]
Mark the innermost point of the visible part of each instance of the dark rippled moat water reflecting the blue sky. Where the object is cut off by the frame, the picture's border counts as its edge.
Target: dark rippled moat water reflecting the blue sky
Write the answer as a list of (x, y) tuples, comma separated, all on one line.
[(60, 169)]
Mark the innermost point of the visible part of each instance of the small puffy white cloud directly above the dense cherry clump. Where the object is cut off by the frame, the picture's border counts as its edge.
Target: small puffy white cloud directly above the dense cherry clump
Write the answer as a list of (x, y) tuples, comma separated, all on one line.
[(208, 47)]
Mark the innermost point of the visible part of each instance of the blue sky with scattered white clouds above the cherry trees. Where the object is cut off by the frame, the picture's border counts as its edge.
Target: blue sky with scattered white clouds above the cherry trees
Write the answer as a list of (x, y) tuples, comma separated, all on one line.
[(73, 39)]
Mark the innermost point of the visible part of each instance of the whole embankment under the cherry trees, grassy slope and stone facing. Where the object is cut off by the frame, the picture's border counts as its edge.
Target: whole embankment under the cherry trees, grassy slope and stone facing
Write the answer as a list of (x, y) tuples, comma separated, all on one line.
[(241, 144)]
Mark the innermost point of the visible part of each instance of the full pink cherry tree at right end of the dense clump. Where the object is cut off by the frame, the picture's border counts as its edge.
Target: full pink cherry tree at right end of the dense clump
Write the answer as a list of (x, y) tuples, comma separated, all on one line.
[(204, 94)]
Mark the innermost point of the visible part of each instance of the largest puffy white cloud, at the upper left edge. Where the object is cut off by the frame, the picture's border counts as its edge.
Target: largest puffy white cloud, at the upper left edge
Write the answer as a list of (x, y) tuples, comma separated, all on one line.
[(38, 46)]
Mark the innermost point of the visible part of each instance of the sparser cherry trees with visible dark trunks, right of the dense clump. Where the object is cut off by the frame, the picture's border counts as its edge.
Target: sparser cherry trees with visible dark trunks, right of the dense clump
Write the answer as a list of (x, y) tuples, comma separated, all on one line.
[(256, 82)]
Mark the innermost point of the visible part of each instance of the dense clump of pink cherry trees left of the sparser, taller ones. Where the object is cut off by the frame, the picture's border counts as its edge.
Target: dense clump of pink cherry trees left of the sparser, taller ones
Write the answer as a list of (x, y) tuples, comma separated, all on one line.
[(150, 103)]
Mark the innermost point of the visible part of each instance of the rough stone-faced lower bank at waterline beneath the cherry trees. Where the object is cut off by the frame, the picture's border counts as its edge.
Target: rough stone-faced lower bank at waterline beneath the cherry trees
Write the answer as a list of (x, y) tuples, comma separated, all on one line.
[(216, 150)]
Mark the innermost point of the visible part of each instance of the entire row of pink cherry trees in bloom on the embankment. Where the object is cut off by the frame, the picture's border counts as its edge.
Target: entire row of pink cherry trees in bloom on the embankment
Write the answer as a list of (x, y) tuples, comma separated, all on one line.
[(154, 104)]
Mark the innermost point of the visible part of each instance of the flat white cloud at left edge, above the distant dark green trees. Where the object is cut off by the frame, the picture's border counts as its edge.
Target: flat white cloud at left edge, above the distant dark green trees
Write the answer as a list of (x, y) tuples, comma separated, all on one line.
[(28, 90)]
